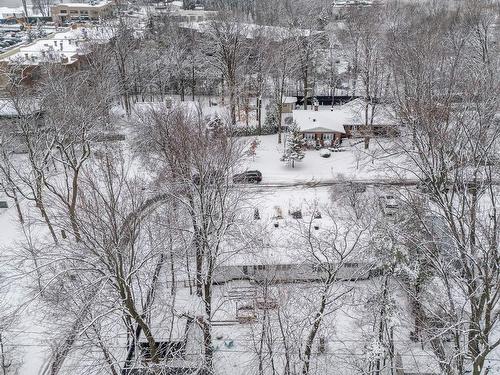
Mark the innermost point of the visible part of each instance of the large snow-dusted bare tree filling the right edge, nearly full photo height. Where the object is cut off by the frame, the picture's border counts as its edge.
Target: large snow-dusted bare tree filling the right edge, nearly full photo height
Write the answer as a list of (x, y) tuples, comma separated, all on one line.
[(448, 105)]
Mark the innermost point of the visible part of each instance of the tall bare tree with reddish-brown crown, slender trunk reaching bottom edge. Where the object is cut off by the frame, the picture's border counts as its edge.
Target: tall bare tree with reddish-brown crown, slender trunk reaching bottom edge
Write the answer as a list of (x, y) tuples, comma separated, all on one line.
[(196, 162)]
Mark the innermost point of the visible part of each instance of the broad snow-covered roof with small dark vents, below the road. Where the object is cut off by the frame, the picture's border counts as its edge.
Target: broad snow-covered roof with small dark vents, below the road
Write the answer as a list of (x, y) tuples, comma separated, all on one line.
[(287, 243)]
